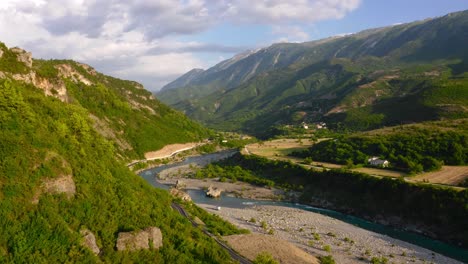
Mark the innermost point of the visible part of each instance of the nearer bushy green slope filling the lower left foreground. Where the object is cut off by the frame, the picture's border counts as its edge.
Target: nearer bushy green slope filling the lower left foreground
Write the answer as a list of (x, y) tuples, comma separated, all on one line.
[(42, 139)]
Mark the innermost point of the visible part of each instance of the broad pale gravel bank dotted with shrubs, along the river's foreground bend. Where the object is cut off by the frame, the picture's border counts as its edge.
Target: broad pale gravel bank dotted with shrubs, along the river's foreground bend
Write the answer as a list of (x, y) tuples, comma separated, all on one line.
[(322, 235)]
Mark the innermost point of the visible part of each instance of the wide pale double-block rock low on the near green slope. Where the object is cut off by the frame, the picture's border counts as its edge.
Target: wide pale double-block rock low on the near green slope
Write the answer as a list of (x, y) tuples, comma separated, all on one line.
[(150, 237)]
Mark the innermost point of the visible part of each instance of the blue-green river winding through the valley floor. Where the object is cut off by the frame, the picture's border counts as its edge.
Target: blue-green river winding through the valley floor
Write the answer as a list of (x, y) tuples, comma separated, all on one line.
[(198, 196)]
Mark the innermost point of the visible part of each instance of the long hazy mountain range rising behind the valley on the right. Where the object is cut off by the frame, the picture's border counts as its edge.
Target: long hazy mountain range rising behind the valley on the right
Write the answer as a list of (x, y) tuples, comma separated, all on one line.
[(391, 75)]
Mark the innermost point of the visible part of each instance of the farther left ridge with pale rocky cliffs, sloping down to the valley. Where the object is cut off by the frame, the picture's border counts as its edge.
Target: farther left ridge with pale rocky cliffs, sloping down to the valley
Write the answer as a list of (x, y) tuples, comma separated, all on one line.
[(122, 111)]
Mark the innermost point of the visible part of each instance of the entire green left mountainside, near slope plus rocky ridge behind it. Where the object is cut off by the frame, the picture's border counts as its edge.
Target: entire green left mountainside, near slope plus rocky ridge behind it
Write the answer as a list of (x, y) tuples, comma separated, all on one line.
[(66, 195)]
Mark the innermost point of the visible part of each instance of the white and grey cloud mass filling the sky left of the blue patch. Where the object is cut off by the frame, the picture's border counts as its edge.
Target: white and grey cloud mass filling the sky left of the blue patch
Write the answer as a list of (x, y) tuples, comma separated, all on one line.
[(142, 39)]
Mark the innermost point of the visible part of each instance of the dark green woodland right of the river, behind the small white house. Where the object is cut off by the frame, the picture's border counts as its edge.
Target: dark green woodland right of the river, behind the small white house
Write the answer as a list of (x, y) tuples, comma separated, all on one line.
[(412, 149)]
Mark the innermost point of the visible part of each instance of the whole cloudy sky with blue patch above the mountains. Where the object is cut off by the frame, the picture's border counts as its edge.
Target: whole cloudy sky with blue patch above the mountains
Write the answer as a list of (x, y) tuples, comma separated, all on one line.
[(155, 41)]
